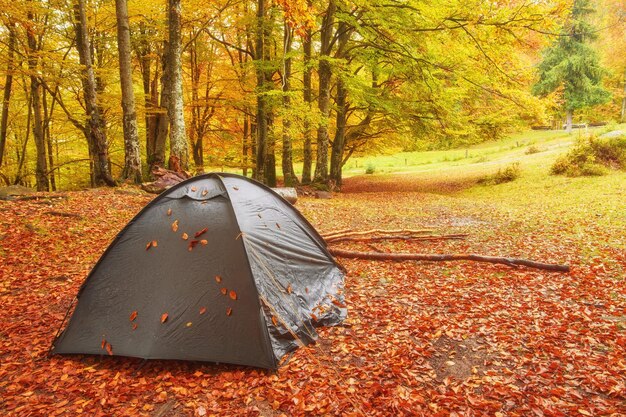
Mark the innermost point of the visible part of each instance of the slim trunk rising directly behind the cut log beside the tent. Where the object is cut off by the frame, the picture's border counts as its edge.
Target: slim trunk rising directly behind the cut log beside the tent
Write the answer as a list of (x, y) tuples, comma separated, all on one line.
[(289, 176)]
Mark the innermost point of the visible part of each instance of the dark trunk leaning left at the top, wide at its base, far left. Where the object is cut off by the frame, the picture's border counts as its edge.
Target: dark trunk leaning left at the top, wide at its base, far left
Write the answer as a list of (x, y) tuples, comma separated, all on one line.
[(94, 131)]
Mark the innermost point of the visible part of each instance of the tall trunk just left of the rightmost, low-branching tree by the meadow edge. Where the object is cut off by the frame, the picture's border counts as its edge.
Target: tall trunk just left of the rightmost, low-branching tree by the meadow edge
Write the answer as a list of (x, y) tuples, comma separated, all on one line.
[(324, 74)]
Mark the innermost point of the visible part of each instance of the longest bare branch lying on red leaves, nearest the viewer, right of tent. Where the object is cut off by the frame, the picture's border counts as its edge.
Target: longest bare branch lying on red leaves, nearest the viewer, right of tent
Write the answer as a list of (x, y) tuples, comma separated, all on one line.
[(374, 256)]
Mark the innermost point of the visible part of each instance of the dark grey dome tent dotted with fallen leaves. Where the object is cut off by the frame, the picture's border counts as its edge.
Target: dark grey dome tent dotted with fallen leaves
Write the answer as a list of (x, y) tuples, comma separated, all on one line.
[(218, 268)]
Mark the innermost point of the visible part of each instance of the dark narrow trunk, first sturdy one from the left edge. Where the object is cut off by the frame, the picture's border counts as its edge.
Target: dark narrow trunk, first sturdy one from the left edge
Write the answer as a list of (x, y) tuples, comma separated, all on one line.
[(41, 170)]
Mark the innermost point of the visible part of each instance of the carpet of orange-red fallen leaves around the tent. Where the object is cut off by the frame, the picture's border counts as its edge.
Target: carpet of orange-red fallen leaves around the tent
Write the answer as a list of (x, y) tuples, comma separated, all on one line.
[(441, 339)]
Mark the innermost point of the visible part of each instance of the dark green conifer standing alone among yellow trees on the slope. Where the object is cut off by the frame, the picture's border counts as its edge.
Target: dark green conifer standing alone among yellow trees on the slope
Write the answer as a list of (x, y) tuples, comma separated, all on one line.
[(573, 65)]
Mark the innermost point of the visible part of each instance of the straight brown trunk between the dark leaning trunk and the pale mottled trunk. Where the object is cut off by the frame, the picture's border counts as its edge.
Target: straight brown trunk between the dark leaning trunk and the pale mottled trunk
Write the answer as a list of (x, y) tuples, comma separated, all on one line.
[(132, 157)]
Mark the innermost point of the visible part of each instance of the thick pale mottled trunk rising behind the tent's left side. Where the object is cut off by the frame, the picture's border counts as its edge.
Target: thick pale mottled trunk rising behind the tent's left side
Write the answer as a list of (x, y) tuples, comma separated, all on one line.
[(179, 147)]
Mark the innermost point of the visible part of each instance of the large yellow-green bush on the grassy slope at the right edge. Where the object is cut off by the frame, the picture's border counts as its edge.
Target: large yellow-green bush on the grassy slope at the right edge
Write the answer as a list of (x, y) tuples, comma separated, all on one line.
[(592, 157)]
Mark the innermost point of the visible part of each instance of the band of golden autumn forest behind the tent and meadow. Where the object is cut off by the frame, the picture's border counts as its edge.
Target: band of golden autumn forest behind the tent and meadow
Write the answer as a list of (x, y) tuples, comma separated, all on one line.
[(103, 91)]
